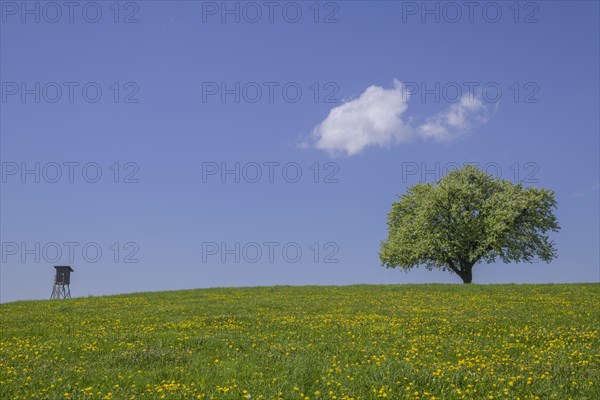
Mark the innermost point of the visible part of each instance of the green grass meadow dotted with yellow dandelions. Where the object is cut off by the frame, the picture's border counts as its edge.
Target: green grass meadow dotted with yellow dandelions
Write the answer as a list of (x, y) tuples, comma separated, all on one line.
[(362, 342)]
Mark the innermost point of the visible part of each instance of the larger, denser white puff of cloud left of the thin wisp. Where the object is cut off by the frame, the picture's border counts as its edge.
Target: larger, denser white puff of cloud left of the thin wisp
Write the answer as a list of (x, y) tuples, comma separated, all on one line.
[(372, 119)]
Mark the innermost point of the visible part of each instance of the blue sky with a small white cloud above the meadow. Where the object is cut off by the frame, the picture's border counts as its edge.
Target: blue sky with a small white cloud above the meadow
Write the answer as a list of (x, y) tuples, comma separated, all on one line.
[(369, 99)]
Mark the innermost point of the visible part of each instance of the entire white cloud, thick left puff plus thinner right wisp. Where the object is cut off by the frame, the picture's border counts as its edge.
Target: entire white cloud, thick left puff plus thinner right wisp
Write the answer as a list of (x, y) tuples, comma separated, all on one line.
[(377, 118)]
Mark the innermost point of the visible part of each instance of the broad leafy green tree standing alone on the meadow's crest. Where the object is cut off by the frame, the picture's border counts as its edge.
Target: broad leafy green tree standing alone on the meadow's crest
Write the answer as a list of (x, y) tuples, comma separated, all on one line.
[(466, 217)]
